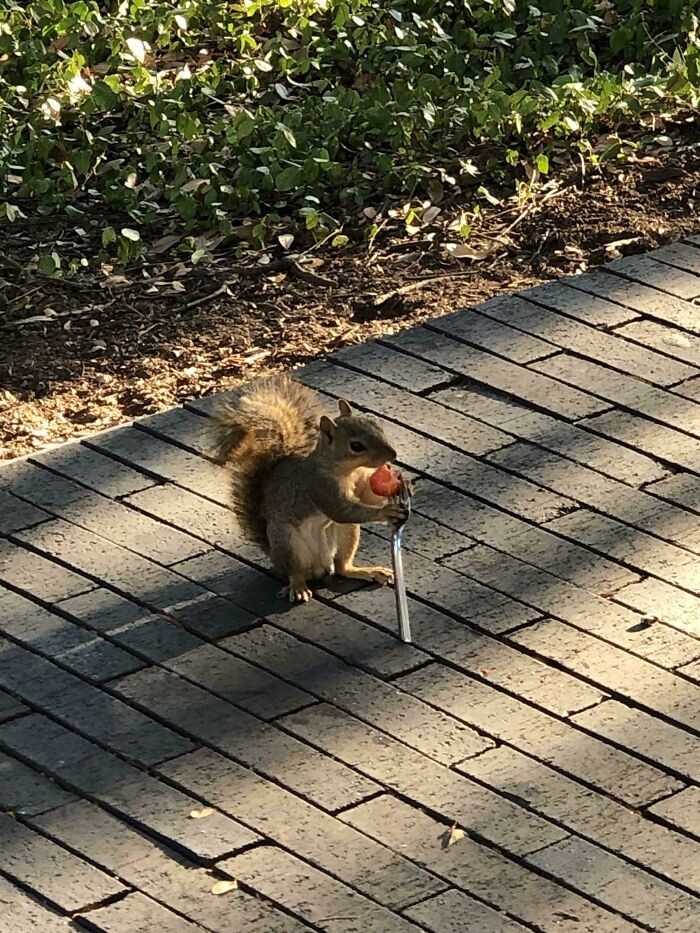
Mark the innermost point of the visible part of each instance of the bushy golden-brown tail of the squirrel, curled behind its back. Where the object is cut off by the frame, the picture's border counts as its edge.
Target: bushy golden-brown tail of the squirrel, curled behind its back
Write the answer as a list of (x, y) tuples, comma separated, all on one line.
[(254, 431)]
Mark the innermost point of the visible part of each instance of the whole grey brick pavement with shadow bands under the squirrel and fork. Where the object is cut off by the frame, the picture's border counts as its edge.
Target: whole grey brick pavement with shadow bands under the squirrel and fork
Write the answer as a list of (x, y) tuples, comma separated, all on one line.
[(531, 762)]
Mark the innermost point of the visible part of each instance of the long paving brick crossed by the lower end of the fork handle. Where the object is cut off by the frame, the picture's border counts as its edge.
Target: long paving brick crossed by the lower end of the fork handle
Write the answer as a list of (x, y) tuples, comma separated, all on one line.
[(479, 654)]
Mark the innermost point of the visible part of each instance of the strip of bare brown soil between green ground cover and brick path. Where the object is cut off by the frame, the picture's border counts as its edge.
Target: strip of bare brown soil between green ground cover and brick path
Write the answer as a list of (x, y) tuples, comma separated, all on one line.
[(104, 349)]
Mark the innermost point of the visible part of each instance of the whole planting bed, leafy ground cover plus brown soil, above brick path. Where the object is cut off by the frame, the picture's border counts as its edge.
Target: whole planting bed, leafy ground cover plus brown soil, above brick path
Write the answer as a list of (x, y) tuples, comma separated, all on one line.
[(181, 180)]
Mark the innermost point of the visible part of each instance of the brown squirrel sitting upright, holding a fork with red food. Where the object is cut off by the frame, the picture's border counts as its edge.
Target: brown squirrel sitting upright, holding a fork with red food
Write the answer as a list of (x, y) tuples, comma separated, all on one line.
[(300, 481)]
